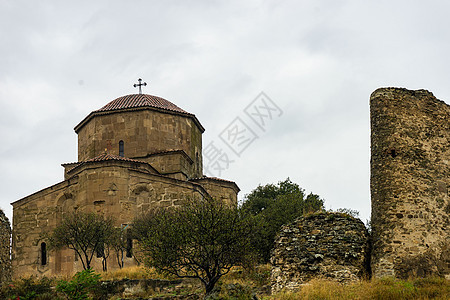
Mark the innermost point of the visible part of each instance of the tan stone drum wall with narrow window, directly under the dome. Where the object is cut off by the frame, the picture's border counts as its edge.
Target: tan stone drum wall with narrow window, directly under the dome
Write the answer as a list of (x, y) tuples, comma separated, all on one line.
[(143, 132)]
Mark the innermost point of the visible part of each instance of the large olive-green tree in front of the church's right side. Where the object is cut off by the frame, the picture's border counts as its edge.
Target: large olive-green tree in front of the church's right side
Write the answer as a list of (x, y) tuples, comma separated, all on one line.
[(202, 239)]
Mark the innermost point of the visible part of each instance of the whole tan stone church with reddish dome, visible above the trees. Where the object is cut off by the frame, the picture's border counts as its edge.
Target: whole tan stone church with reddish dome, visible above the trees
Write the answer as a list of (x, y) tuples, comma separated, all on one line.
[(136, 152)]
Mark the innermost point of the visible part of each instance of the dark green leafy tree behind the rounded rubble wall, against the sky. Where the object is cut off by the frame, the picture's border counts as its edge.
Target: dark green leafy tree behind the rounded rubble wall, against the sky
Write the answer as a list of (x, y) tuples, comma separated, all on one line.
[(274, 205)]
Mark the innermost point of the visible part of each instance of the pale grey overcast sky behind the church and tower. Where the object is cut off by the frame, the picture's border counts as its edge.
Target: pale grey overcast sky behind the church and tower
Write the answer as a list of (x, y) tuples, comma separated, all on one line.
[(317, 62)]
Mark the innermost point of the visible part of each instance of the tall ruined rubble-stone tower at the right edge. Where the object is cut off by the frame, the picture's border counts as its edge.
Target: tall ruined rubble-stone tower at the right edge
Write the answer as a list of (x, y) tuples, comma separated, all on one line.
[(410, 183)]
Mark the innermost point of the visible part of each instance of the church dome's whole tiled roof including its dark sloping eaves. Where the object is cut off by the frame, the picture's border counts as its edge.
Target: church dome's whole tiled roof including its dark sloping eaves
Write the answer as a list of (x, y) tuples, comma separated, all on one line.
[(139, 102)]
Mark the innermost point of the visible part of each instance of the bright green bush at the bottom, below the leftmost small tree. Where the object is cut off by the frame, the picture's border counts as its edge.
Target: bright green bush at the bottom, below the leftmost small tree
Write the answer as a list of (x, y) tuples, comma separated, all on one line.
[(80, 286)]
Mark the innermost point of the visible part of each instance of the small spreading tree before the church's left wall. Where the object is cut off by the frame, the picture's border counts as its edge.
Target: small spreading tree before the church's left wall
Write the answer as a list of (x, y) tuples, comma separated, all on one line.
[(85, 233)]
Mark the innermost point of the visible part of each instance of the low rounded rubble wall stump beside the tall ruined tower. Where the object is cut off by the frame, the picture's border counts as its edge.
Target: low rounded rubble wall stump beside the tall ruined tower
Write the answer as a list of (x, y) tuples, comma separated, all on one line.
[(325, 245)]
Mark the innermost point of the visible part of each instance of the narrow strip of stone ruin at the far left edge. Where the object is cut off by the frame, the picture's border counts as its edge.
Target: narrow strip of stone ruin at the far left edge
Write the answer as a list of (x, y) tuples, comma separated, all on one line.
[(5, 237)]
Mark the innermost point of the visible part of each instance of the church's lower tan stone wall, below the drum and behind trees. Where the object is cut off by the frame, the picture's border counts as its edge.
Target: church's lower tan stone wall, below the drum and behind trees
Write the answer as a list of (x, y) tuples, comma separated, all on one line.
[(115, 188)]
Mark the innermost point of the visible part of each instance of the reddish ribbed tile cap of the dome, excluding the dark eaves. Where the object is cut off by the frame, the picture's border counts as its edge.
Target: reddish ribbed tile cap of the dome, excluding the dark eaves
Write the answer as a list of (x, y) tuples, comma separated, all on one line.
[(141, 100)]
